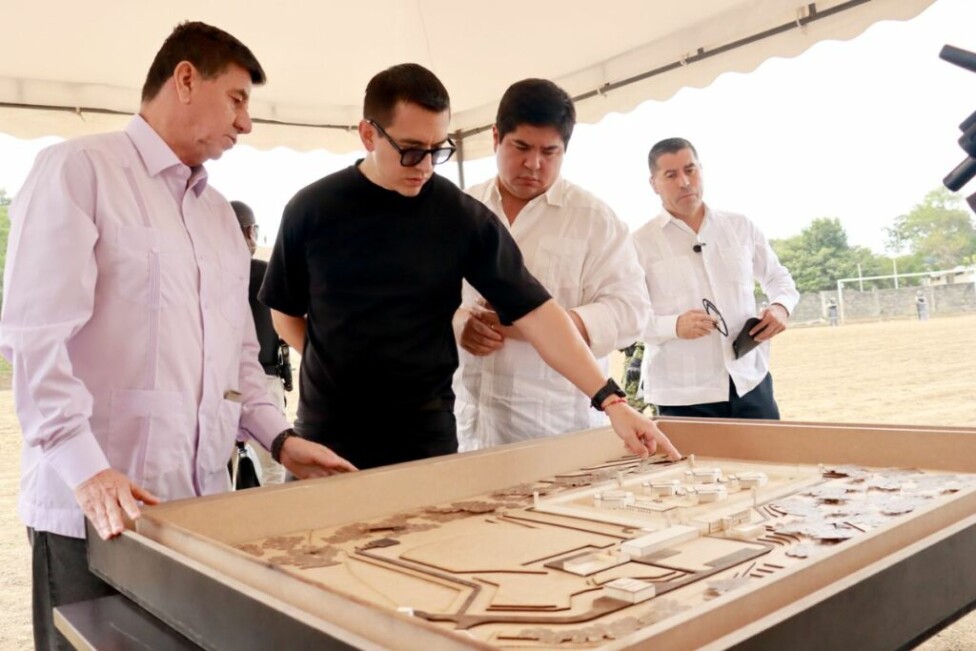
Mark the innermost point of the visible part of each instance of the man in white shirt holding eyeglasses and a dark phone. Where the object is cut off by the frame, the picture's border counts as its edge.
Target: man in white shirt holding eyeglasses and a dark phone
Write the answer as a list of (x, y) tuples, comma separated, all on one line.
[(701, 267)]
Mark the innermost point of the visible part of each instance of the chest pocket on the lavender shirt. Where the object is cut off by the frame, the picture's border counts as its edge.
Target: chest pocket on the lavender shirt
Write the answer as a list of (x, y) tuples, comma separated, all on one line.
[(149, 267)]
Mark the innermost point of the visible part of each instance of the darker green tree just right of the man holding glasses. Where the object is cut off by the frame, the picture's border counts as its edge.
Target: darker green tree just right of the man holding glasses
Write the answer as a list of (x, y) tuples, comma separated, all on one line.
[(821, 254)]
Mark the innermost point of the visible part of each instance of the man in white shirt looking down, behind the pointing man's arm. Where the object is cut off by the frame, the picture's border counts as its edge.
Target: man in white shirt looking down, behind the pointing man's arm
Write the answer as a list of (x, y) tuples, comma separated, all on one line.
[(577, 248)]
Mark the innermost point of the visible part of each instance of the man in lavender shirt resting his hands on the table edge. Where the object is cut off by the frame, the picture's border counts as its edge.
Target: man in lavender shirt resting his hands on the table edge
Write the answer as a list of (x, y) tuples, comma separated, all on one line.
[(126, 319)]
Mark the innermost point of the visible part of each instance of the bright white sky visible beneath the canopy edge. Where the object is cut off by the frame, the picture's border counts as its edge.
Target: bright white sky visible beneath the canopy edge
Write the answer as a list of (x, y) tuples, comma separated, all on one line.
[(860, 130)]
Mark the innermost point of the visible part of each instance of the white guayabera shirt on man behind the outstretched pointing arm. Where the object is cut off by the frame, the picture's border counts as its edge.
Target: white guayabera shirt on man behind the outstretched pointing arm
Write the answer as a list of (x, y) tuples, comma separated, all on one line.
[(584, 256)]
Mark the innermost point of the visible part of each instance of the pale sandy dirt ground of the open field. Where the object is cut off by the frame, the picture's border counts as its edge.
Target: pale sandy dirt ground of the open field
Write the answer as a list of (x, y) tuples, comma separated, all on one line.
[(889, 372)]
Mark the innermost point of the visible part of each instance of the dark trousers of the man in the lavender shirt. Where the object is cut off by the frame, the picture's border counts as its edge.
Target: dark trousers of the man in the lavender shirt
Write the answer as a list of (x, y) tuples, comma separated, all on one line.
[(60, 576)]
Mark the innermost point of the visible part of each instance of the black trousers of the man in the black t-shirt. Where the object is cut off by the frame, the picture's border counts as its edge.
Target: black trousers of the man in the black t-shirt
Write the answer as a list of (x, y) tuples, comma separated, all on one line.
[(406, 436)]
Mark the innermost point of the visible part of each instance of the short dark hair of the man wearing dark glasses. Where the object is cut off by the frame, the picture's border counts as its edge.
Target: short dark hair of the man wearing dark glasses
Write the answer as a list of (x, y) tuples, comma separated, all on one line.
[(406, 82)]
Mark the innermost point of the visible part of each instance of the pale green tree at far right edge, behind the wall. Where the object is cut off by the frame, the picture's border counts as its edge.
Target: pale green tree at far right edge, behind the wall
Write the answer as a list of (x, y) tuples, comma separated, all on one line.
[(939, 232)]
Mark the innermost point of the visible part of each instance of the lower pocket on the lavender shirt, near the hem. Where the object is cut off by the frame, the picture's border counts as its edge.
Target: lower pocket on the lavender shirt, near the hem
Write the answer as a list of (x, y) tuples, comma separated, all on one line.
[(150, 437)]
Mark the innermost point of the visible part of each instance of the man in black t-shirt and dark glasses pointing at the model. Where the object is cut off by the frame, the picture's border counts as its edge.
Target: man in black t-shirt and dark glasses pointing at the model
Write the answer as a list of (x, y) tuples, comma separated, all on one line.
[(366, 275)]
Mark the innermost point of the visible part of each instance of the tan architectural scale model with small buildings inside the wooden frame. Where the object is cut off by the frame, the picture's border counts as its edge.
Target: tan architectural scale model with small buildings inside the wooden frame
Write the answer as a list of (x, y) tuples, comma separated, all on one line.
[(582, 558)]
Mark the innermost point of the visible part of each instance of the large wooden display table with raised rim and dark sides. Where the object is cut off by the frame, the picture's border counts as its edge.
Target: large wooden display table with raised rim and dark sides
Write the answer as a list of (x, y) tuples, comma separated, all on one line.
[(565, 544)]
